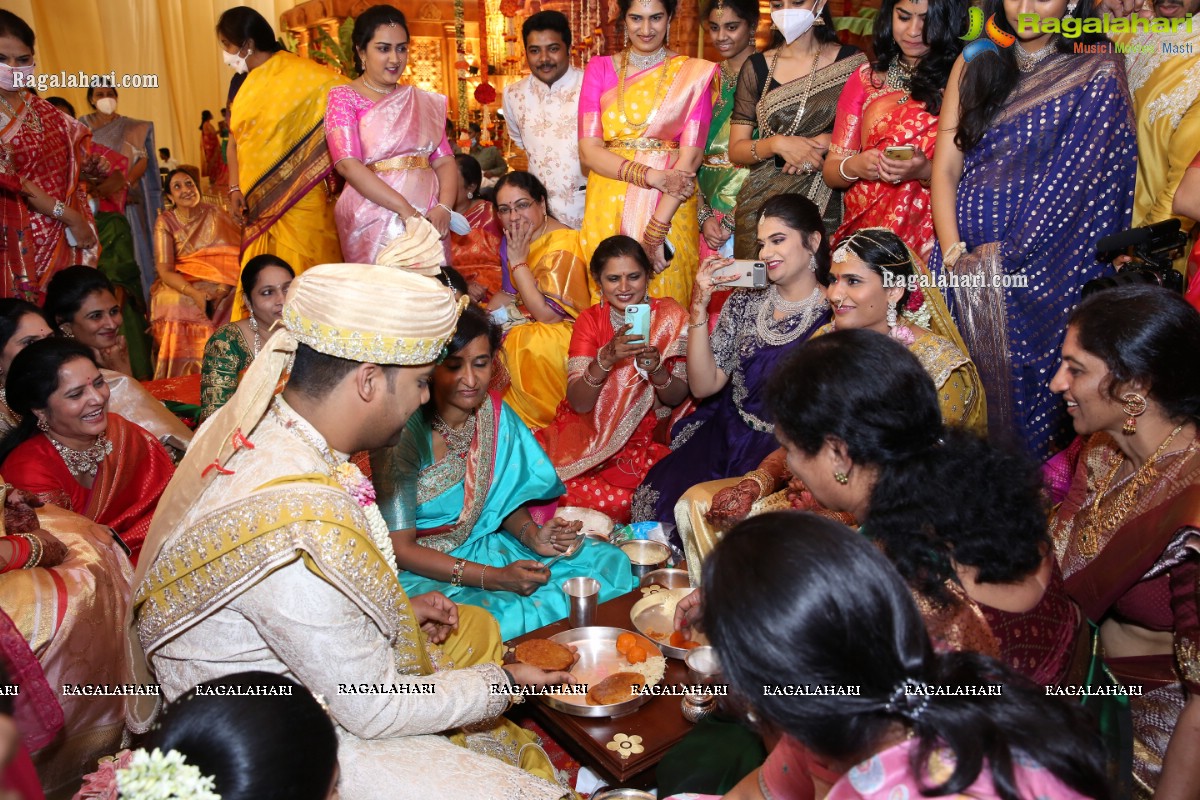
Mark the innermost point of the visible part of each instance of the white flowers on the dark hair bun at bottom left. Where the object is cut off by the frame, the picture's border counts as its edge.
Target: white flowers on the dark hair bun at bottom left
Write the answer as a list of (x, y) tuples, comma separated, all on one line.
[(139, 775)]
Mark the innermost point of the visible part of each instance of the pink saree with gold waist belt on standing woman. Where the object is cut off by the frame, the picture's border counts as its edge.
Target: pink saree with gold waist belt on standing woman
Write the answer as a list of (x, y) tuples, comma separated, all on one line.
[(397, 139)]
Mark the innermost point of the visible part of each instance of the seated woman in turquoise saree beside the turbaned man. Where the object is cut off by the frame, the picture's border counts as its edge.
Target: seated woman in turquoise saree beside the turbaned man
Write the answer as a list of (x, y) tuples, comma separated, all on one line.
[(470, 497)]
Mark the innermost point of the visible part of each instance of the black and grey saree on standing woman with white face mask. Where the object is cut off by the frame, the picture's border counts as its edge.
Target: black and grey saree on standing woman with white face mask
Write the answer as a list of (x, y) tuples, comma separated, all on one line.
[(819, 106)]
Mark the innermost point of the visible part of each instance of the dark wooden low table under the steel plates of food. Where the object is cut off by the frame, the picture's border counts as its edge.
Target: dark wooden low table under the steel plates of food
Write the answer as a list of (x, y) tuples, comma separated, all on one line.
[(661, 724)]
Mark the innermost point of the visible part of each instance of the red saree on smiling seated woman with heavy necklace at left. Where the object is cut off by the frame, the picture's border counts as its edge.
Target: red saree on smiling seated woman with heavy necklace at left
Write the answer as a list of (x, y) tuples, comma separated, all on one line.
[(125, 492)]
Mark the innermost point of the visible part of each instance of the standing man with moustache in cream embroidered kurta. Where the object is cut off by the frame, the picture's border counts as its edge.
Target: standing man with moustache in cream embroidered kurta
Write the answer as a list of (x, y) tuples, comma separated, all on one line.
[(542, 112)]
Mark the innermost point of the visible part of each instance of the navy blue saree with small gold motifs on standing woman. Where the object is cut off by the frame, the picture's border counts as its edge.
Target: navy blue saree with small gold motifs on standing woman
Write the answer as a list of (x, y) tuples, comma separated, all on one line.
[(1021, 221)]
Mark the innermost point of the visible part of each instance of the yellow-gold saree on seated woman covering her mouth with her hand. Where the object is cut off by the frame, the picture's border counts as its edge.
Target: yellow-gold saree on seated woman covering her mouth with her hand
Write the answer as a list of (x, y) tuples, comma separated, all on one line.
[(536, 353)]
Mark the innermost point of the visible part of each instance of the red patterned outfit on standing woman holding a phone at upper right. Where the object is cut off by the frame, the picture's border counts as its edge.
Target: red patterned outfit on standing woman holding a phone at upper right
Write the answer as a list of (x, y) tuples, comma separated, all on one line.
[(871, 116)]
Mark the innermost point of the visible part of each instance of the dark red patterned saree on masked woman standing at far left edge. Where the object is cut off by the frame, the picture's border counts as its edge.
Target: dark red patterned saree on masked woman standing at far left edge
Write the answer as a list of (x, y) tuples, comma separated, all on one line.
[(49, 148)]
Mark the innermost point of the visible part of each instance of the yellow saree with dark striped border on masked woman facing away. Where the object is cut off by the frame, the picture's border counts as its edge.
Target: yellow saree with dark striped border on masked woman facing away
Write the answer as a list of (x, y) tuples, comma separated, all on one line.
[(278, 122)]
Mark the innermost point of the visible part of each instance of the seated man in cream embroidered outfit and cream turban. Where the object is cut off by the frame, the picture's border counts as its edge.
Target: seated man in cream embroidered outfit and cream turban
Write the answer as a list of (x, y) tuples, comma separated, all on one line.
[(267, 554)]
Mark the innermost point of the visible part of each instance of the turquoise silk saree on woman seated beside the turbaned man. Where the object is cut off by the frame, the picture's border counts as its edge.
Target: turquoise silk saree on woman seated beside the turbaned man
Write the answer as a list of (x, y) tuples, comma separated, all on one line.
[(459, 506)]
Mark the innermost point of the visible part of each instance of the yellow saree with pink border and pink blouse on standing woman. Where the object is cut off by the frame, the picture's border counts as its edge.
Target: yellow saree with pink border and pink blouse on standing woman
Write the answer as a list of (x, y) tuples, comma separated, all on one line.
[(657, 112)]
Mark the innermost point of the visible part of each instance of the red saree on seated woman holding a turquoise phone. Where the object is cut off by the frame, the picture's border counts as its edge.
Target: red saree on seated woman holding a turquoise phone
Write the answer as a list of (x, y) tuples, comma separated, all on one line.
[(604, 455)]
